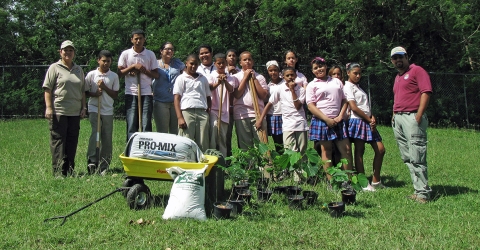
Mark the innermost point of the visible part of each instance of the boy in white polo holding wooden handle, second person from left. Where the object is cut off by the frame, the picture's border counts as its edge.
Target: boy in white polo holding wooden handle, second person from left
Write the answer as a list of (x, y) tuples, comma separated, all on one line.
[(102, 84)]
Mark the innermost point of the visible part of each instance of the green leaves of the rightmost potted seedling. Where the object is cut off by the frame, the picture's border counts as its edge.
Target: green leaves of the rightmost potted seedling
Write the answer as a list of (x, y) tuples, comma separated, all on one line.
[(340, 177)]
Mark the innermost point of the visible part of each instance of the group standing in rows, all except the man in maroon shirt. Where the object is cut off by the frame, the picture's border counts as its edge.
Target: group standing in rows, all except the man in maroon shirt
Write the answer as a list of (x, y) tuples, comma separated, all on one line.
[(202, 97)]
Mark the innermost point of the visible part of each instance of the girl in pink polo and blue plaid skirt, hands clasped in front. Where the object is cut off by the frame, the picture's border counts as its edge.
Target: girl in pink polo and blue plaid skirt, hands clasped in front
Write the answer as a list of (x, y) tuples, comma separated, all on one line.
[(327, 102)]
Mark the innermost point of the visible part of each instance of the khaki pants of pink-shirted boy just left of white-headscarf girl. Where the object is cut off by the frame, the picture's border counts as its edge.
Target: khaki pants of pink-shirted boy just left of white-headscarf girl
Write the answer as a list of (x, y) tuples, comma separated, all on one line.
[(246, 132)]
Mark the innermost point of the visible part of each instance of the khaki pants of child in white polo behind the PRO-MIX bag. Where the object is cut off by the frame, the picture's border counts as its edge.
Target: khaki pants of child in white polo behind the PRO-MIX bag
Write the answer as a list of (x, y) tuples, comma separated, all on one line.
[(197, 127)]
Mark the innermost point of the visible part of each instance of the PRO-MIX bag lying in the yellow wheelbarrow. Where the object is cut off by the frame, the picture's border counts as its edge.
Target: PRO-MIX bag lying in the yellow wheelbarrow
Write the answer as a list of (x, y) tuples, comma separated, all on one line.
[(164, 147)]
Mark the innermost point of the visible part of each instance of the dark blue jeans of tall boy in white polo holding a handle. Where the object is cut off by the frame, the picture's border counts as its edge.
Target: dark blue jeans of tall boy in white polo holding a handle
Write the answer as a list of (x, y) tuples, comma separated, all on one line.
[(132, 114)]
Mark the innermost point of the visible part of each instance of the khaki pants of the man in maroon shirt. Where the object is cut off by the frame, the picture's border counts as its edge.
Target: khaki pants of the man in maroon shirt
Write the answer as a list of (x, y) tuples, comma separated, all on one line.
[(412, 142)]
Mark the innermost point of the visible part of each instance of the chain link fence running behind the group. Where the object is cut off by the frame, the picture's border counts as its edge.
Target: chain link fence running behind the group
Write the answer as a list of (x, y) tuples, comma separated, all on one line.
[(453, 102)]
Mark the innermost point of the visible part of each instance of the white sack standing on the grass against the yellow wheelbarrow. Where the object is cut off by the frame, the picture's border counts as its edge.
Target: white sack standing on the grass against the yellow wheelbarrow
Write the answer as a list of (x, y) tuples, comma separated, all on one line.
[(187, 197)]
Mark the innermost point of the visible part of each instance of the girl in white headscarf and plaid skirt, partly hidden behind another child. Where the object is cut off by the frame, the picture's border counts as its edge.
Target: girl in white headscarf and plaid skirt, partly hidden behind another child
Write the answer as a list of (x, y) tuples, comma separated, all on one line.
[(274, 117)]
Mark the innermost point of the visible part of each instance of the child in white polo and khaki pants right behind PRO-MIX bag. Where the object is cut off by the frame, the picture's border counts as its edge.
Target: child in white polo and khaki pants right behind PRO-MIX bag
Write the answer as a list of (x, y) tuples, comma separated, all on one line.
[(192, 101)]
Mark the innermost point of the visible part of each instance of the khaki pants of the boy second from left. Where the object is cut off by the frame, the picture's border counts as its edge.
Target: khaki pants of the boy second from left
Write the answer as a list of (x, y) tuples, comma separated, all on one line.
[(106, 131)]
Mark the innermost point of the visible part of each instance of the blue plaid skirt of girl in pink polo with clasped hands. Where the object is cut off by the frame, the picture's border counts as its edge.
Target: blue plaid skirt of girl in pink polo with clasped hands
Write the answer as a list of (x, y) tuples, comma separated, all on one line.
[(319, 131)]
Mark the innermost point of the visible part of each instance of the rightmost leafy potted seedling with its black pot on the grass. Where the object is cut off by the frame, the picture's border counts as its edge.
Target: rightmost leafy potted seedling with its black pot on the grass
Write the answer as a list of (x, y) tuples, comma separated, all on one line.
[(347, 182)]
